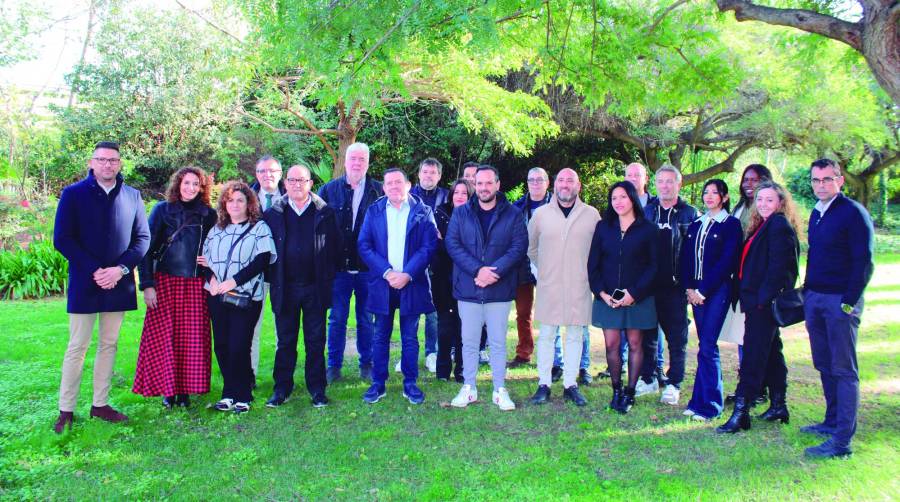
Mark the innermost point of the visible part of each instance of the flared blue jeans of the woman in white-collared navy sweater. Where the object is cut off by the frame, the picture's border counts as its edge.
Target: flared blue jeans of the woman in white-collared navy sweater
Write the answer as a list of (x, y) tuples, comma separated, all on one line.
[(707, 399)]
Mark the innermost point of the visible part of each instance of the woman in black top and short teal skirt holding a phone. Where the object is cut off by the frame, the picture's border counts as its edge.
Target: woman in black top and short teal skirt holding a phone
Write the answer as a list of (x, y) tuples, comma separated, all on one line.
[(621, 267)]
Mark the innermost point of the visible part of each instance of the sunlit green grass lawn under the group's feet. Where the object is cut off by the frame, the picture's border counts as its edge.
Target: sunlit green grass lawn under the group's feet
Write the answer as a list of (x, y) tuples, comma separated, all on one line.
[(394, 450)]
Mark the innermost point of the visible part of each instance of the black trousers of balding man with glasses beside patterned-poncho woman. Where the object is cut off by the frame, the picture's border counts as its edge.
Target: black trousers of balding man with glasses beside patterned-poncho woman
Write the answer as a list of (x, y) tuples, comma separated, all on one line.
[(300, 300)]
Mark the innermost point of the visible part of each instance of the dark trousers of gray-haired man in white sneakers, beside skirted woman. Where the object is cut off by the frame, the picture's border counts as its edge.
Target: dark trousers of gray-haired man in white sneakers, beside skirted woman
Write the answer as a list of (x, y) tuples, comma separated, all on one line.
[(671, 312)]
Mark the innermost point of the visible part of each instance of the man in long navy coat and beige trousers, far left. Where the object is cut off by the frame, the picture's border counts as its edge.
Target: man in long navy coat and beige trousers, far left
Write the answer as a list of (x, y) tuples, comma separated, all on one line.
[(101, 229)]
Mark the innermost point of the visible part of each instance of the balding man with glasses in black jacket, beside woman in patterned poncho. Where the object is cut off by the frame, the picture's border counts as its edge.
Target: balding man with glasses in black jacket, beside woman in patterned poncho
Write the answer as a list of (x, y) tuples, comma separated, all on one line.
[(307, 242)]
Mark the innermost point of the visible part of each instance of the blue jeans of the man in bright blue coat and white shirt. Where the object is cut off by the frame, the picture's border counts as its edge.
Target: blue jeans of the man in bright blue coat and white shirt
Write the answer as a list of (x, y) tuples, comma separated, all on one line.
[(409, 345)]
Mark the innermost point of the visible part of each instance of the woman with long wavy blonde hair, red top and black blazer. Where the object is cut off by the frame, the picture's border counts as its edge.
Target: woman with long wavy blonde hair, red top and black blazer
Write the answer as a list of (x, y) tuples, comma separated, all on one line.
[(768, 266)]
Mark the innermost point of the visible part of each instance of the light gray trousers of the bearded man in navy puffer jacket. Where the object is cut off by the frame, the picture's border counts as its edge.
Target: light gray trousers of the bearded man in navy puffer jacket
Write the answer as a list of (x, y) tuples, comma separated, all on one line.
[(494, 317)]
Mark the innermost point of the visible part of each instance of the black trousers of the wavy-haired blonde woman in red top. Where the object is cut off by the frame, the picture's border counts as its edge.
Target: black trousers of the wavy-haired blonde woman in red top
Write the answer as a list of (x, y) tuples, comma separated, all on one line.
[(763, 362)]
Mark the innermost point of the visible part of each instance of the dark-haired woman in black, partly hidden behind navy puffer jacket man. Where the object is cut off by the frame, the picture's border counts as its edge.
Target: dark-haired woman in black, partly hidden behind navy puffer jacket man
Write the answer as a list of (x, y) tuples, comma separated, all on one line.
[(449, 327)]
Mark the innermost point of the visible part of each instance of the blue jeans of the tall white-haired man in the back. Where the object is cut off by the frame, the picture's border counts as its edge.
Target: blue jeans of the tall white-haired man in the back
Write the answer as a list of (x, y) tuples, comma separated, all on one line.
[(346, 284)]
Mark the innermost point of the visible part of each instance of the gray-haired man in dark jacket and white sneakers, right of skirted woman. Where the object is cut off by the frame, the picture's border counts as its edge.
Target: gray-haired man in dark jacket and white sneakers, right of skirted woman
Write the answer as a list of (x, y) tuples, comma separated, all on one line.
[(673, 216)]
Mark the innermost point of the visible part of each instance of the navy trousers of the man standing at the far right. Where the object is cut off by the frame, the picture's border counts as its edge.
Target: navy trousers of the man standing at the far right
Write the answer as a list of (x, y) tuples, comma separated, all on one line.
[(832, 339)]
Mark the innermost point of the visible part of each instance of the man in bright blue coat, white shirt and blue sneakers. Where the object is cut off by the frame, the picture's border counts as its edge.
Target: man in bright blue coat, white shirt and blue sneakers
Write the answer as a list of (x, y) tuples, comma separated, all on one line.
[(397, 240)]
